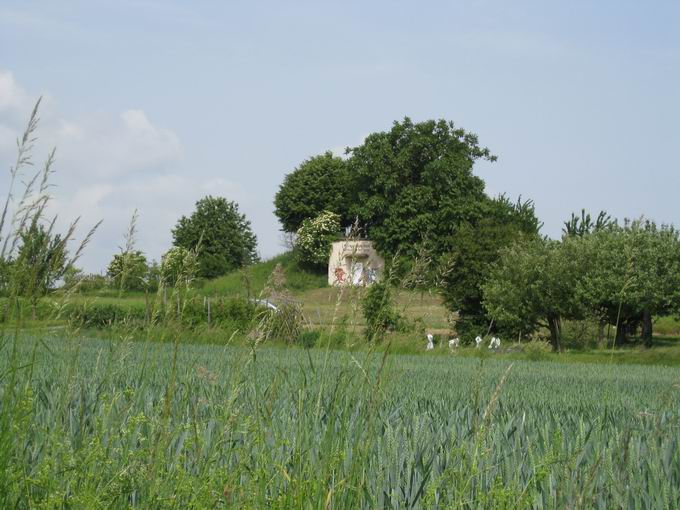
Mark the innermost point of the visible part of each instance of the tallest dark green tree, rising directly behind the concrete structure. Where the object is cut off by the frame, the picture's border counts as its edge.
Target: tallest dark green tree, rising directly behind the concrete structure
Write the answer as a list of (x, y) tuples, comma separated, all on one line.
[(415, 182)]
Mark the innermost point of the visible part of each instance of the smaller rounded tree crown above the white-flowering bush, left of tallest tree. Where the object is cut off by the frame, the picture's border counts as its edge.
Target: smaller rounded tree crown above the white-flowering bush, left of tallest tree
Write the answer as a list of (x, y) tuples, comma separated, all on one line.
[(319, 184)]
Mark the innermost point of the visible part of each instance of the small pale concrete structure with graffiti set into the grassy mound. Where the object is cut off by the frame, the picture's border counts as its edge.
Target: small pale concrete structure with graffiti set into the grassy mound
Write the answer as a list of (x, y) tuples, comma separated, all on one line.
[(354, 263)]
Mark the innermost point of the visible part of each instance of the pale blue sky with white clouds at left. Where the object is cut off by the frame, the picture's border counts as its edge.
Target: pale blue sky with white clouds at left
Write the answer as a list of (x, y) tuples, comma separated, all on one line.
[(154, 104)]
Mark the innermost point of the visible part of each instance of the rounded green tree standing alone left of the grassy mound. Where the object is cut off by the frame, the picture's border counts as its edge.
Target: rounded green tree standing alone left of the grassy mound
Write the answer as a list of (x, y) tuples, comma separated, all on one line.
[(220, 235)]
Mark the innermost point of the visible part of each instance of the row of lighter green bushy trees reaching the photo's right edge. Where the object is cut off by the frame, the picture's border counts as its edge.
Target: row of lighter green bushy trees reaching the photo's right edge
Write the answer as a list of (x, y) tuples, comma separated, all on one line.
[(620, 276)]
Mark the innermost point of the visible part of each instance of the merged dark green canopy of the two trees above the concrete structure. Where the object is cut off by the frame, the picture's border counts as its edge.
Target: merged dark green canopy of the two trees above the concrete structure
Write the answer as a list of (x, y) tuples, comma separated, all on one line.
[(410, 183)]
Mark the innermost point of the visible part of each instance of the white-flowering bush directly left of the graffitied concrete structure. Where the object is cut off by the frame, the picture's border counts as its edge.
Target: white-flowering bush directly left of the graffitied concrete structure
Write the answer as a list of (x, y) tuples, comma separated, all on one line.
[(314, 238)]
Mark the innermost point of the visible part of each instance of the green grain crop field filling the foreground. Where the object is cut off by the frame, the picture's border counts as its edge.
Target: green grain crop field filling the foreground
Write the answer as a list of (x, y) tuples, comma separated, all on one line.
[(88, 423)]
